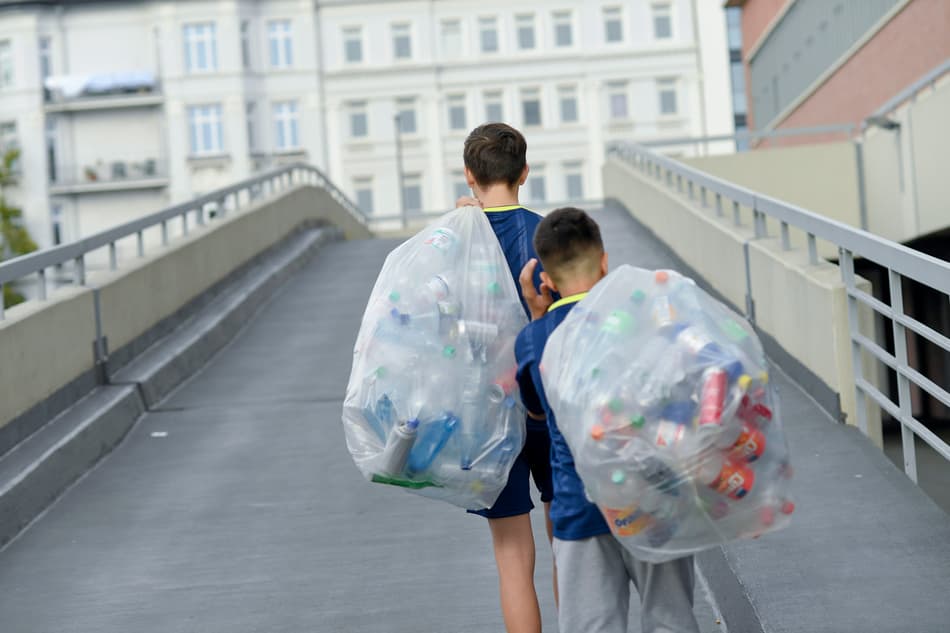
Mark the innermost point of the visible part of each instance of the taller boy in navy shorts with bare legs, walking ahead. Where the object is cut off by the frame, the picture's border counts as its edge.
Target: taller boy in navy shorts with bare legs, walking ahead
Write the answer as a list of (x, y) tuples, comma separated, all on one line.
[(495, 169)]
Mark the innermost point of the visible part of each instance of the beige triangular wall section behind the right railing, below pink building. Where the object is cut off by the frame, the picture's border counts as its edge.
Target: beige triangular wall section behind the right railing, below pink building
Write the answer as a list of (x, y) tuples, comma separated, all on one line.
[(821, 178)]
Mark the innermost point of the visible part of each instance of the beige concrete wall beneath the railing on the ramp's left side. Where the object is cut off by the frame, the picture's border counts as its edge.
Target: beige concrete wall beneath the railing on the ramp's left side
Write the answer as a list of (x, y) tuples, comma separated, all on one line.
[(44, 346)]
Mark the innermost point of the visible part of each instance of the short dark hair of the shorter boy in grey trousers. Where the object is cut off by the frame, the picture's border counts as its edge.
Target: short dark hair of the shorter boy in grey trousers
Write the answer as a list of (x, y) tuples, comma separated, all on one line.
[(566, 237)]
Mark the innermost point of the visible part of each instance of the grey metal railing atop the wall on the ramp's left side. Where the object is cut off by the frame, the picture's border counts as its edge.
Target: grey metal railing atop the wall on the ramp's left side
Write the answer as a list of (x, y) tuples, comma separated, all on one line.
[(221, 202)]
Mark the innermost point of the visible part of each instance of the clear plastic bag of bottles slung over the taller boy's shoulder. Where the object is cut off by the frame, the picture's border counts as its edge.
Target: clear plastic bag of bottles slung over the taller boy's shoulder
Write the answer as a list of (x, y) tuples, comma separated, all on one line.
[(432, 404)]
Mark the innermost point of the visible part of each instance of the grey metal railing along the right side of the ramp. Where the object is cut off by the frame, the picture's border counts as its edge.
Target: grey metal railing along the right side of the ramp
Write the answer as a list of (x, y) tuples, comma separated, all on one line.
[(899, 261)]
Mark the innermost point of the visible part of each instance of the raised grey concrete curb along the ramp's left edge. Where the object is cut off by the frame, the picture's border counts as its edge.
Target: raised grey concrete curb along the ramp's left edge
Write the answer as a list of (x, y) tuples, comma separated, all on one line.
[(41, 467)]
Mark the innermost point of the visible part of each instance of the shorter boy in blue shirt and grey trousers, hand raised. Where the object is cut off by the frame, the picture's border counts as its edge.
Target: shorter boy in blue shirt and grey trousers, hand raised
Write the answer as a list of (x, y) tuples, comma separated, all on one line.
[(594, 570)]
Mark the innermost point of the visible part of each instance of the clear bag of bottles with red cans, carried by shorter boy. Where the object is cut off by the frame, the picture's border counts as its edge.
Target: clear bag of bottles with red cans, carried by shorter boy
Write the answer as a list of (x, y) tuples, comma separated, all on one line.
[(663, 397)]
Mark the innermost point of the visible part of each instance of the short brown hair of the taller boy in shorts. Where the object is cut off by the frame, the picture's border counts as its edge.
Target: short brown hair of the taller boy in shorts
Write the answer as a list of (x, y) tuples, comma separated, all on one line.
[(495, 152)]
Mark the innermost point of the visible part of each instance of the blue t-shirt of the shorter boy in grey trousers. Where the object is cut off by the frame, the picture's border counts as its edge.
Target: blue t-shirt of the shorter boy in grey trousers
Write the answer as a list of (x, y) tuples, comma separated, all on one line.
[(573, 516)]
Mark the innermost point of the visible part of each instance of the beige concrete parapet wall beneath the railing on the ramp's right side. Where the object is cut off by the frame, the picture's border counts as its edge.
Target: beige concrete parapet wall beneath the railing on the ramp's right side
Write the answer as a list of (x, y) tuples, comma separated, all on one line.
[(802, 306)]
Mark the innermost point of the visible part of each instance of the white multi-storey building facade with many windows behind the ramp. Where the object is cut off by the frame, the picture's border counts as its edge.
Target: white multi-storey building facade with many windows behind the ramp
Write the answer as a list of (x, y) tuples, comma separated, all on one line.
[(122, 108)]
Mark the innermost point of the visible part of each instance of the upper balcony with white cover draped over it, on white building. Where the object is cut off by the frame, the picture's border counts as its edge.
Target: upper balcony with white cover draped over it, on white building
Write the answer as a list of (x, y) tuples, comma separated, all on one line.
[(78, 93)]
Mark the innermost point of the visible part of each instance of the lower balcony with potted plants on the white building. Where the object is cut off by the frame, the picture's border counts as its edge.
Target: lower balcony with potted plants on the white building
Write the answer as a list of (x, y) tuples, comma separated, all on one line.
[(118, 175)]
